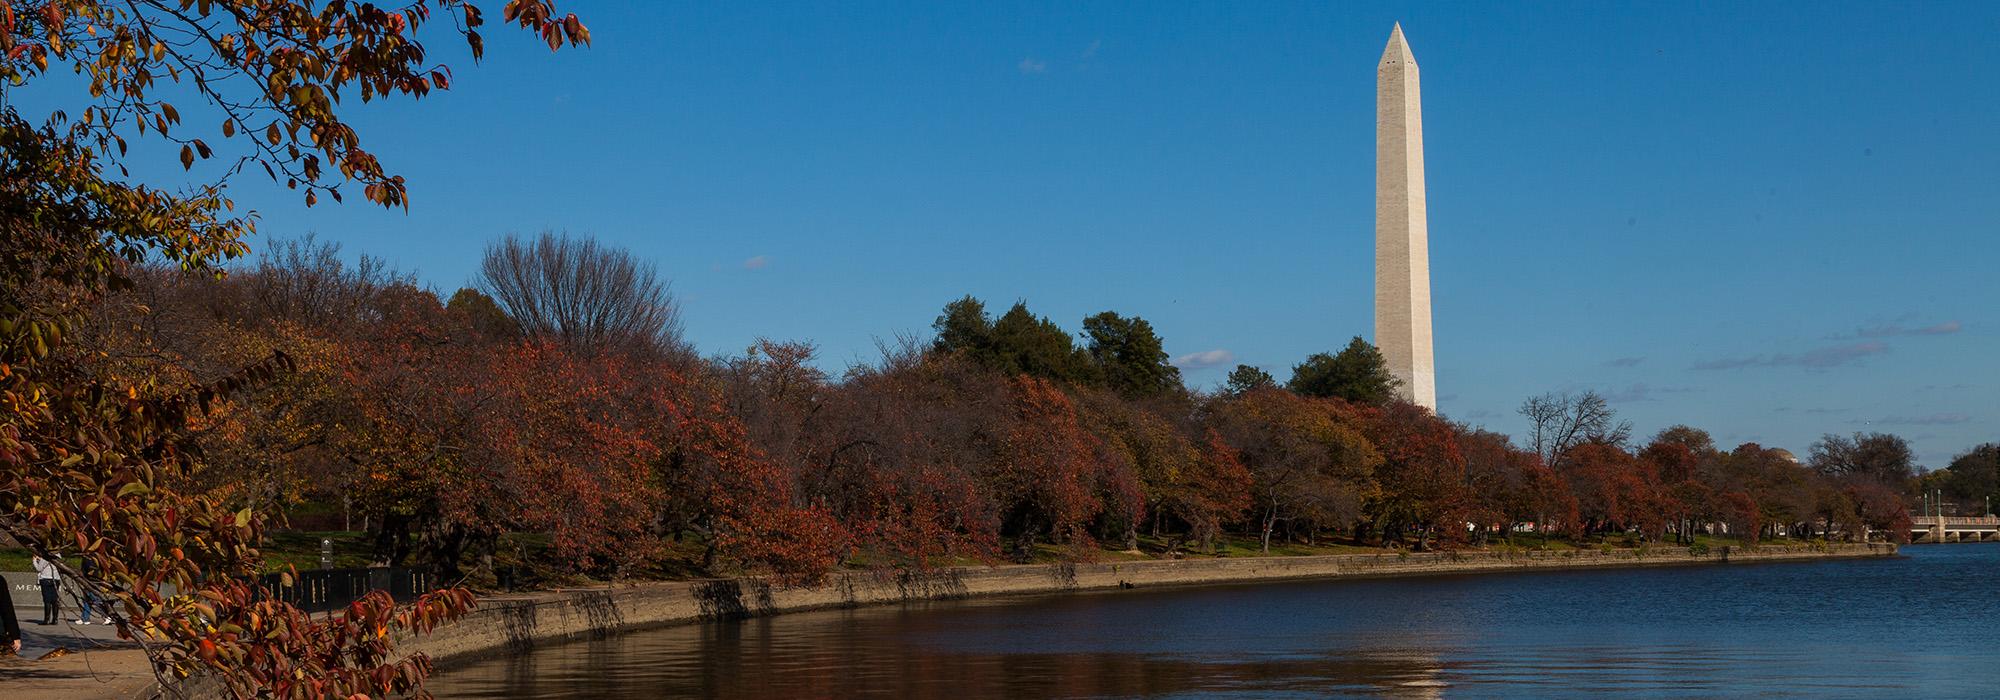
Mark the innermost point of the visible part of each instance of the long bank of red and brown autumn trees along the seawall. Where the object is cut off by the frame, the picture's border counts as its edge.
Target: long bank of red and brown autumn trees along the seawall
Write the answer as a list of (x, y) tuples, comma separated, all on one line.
[(559, 399)]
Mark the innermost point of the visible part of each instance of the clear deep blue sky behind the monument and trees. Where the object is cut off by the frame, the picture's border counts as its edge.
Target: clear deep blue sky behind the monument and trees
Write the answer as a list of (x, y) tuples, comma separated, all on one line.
[(1769, 221)]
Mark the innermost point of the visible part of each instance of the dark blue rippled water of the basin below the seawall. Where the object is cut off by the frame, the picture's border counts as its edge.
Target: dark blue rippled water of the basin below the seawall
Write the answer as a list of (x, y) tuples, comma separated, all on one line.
[(1917, 627)]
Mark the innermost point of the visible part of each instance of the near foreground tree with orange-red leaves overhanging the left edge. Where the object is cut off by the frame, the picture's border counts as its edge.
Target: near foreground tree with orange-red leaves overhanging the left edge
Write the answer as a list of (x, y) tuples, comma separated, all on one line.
[(97, 463)]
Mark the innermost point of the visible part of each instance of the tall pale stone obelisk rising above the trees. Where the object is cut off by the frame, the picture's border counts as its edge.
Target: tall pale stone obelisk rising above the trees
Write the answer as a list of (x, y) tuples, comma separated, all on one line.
[(1403, 249)]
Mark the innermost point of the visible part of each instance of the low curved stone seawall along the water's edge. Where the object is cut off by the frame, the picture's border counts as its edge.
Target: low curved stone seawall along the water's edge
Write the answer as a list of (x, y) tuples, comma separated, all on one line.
[(521, 623)]
